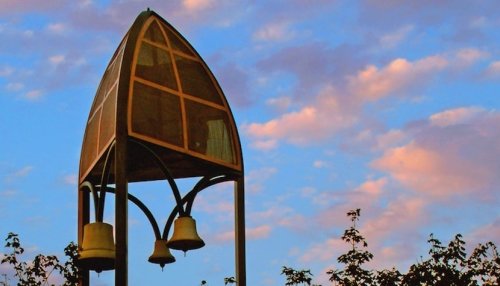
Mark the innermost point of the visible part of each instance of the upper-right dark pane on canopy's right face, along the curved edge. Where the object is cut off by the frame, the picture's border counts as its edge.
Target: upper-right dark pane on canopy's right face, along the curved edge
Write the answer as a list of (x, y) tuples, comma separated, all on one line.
[(196, 81)]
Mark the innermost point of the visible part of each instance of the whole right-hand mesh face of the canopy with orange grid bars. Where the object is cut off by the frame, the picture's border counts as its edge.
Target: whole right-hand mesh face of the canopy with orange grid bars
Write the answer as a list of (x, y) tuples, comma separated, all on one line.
[(175, 101)]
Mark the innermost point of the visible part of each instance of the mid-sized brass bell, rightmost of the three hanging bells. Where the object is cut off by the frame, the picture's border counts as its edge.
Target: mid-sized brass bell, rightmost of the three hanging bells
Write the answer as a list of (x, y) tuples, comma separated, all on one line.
[(185, 236)]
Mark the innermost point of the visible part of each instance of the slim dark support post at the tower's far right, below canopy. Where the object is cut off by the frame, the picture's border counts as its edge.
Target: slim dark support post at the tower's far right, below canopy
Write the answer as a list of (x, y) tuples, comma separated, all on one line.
[(239, 219)]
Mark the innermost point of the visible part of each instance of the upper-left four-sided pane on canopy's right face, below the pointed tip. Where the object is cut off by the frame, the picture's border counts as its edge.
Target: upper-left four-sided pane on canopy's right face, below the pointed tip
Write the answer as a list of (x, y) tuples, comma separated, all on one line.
[(154, 64)]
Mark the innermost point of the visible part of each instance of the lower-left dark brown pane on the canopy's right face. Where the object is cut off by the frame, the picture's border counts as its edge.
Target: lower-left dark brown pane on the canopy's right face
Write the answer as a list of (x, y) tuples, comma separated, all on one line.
[(157, 114)]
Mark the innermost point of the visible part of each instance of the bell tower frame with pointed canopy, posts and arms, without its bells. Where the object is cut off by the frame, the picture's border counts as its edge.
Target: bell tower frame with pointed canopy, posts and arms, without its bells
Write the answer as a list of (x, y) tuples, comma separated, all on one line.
[(128, 142)]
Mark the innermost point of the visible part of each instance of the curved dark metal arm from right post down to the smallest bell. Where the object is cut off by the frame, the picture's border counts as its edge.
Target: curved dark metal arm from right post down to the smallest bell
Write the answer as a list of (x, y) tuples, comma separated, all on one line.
[(188, 199)]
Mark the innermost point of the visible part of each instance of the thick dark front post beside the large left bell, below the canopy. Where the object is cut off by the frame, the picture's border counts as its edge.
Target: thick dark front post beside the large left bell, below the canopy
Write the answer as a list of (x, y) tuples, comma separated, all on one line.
[(121, 212)]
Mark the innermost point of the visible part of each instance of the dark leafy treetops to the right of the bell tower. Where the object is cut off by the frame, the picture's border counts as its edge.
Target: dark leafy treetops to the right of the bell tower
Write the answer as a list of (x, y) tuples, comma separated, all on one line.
[(448, 265)]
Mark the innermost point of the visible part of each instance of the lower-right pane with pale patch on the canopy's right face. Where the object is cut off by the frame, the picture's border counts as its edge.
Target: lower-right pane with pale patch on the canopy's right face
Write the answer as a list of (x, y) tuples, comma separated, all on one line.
[(208, 131)]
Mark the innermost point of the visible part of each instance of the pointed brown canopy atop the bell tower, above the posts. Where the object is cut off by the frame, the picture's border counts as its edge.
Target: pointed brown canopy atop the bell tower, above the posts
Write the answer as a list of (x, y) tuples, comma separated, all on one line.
[(158, 91)]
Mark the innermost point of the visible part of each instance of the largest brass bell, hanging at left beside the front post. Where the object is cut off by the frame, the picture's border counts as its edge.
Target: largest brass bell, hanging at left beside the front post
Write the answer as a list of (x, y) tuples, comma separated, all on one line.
[(98, 247)]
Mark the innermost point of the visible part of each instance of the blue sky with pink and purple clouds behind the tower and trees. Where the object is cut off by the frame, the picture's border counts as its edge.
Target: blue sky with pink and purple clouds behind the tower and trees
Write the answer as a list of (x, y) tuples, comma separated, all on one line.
[(387, 106)]
